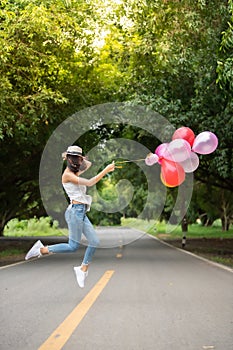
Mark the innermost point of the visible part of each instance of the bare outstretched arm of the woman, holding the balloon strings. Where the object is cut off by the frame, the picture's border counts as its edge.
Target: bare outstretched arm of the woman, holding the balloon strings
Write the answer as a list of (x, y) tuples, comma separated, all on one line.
[(68, 176)]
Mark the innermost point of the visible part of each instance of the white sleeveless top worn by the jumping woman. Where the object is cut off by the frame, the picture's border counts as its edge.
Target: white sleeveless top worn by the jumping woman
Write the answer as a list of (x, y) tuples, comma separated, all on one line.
[(77, 193)]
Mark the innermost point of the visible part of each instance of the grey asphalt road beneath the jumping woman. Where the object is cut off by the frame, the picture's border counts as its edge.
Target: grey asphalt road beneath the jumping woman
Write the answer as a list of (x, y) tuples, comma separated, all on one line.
[(157, 298)]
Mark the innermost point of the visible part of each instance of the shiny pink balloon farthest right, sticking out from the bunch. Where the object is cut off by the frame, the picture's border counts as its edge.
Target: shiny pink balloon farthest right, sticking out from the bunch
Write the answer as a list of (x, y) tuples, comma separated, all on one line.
[(205, 143)]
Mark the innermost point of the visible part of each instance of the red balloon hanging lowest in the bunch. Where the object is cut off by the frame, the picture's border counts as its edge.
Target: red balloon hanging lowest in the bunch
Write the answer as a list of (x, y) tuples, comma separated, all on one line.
[(172, 174)]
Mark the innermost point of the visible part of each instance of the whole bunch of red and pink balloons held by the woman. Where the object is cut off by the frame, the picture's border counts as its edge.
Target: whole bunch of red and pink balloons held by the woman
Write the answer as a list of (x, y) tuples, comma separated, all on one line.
[(180, 155)]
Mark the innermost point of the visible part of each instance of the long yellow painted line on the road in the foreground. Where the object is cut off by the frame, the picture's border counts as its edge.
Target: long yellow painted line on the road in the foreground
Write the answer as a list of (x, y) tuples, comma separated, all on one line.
[(63, 332)]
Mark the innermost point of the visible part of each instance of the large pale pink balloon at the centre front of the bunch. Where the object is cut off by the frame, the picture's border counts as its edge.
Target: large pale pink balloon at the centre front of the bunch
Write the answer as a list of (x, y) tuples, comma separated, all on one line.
[(177, 150)]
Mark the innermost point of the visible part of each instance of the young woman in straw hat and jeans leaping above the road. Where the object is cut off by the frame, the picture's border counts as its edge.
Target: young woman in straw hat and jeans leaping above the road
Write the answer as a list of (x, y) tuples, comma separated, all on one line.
[(75, 215)]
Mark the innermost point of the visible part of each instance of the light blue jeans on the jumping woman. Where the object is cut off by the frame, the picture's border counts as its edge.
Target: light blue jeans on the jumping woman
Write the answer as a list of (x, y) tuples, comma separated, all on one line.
[(78, 223)]
